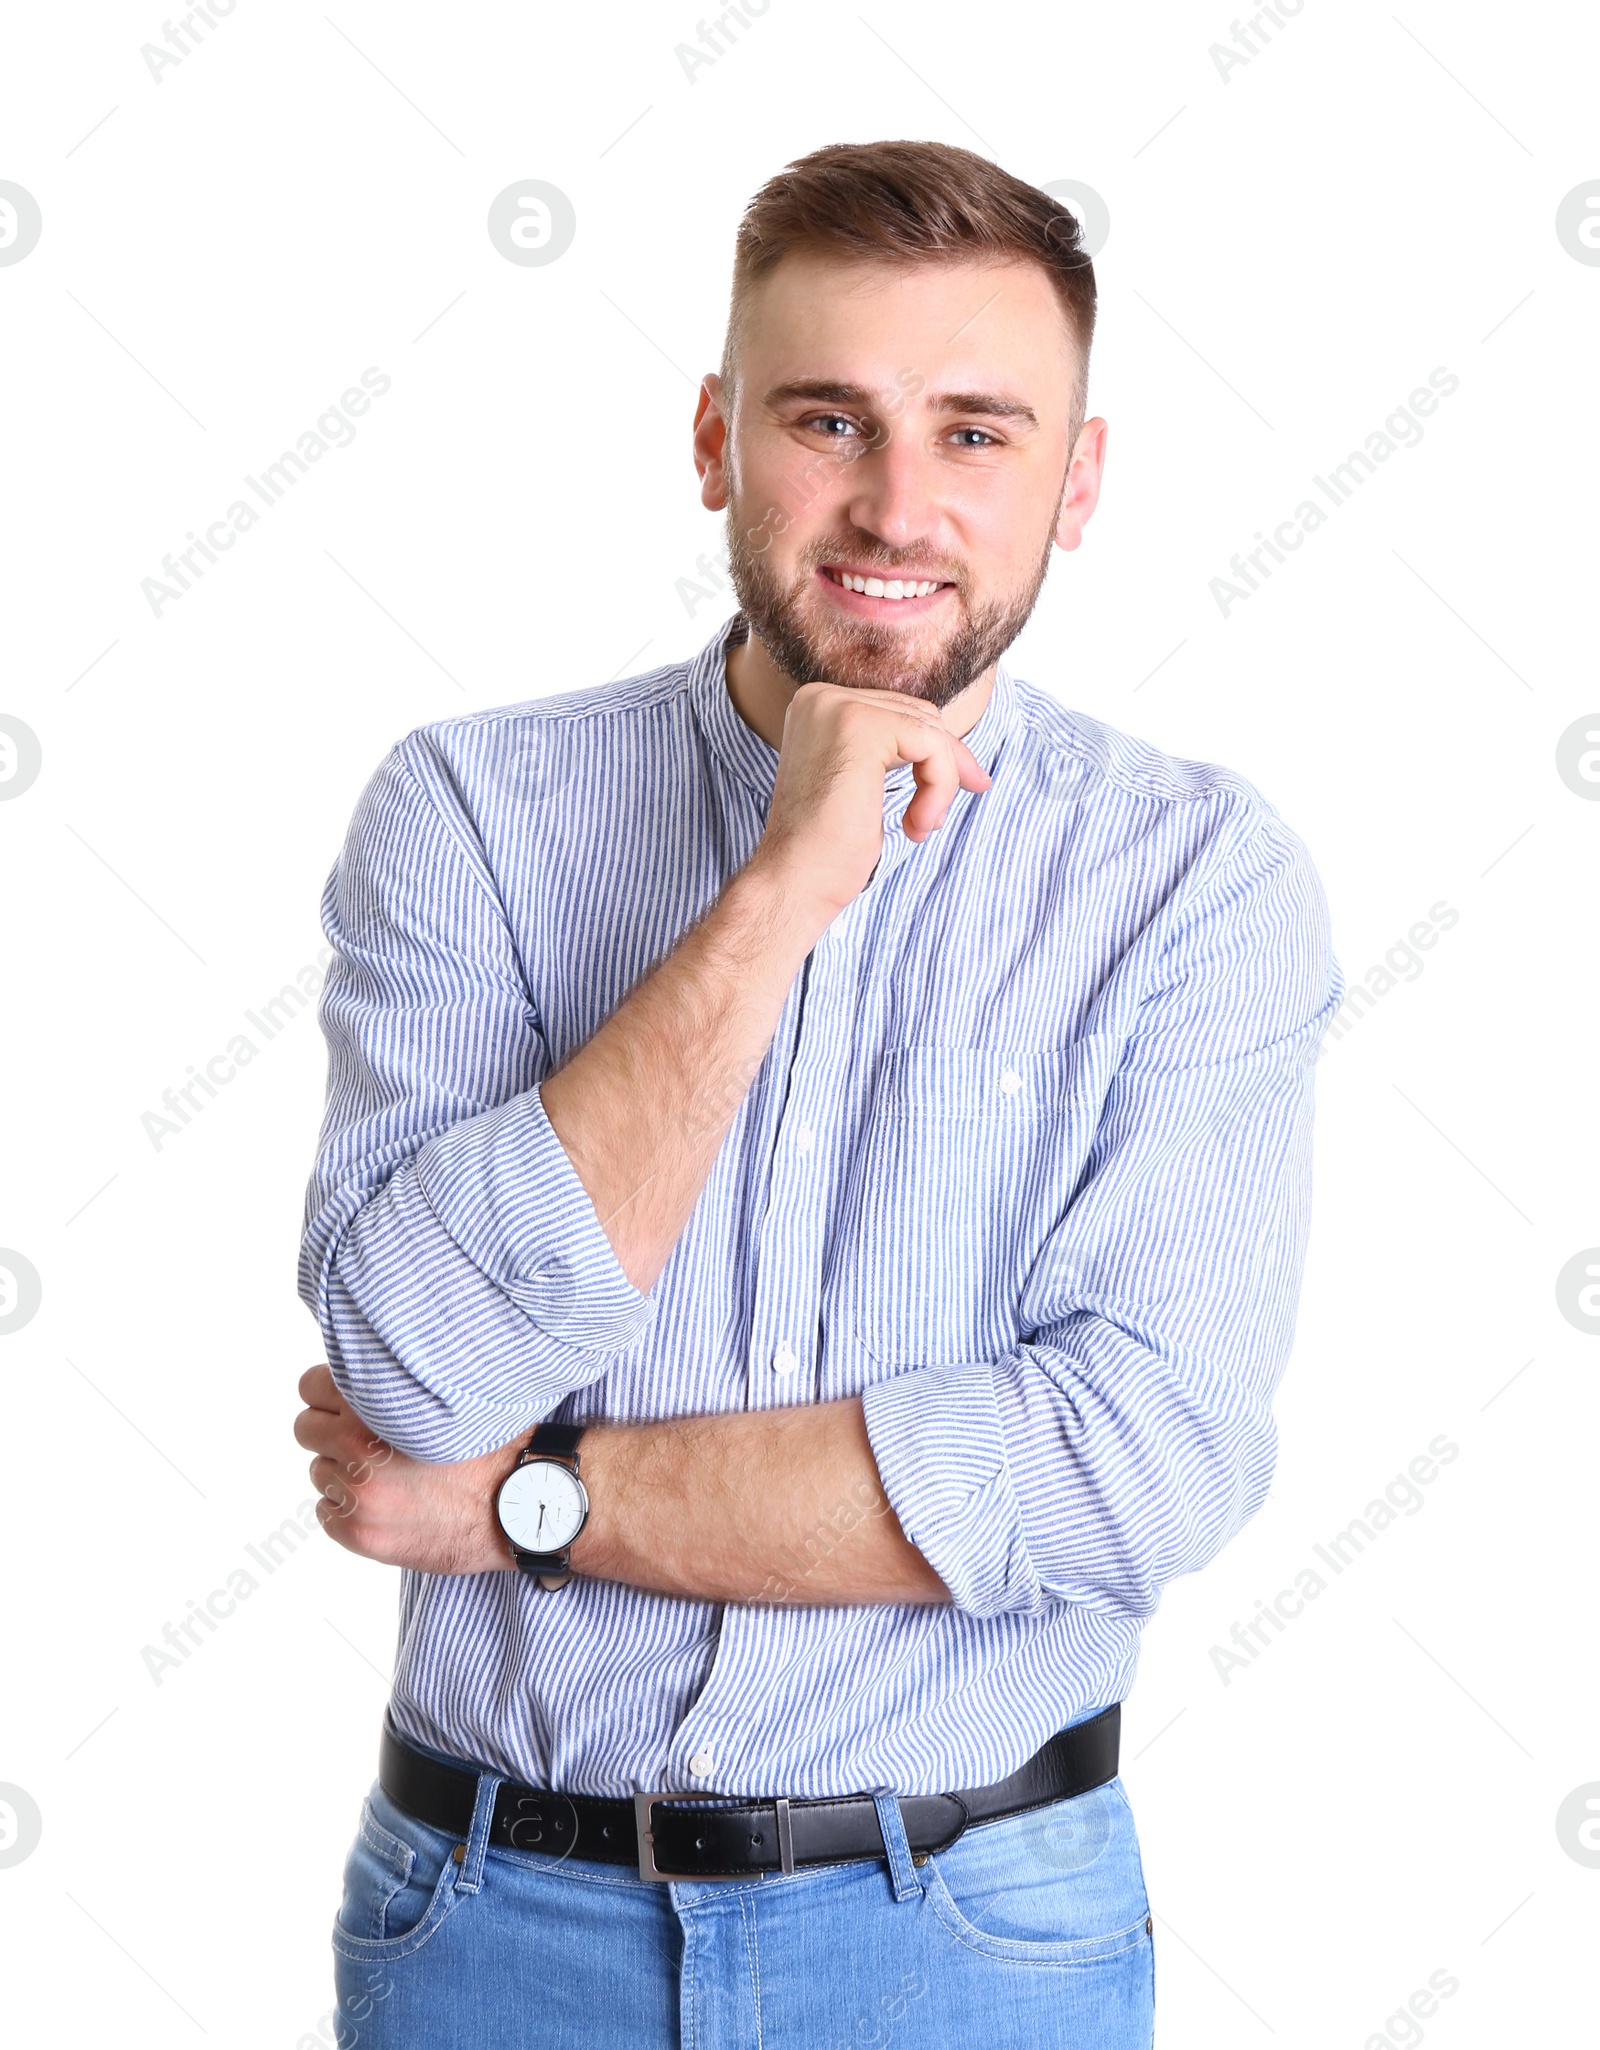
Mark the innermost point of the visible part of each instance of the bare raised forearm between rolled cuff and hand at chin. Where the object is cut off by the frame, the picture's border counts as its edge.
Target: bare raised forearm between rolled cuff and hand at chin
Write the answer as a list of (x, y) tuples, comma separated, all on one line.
[(647, 1102)]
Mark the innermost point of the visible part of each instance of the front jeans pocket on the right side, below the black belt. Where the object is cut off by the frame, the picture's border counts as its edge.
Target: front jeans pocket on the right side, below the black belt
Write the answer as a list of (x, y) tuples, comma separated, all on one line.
[(1059, 1885)]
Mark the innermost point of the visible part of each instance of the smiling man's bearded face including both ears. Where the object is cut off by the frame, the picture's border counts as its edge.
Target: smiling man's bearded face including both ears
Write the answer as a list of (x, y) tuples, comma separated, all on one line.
[(904, 425)]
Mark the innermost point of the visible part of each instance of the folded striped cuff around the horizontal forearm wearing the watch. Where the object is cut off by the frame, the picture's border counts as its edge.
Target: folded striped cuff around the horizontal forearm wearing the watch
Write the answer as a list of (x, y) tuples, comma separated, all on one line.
[(941, 1448)]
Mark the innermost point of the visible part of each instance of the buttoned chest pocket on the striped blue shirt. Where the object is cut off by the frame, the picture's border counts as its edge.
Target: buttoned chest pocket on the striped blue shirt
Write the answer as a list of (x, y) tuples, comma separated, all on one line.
[(969, 1163)]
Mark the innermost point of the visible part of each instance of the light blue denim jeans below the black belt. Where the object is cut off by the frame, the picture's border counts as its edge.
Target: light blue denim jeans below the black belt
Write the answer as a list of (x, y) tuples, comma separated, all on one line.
[(1031, 1932)]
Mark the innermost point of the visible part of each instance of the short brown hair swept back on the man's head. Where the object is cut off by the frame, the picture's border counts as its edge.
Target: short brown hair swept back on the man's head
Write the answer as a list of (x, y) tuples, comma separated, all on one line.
[(904, 204)]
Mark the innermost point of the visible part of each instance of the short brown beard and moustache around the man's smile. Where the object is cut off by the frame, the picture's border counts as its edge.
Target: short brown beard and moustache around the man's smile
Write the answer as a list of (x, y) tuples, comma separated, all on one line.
[(867, 657)]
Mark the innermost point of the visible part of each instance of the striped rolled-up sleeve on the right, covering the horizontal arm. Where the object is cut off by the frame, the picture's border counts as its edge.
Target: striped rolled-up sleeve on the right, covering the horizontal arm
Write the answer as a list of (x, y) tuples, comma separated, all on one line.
[(1129, 1434)]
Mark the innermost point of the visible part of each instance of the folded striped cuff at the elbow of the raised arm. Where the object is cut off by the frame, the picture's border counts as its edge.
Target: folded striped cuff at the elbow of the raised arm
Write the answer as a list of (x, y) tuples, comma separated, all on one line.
[(508, 1194)]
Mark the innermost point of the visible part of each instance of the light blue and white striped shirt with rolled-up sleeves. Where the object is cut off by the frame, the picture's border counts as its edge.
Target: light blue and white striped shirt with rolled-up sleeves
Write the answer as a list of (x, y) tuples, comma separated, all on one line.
[(1027, 1167)]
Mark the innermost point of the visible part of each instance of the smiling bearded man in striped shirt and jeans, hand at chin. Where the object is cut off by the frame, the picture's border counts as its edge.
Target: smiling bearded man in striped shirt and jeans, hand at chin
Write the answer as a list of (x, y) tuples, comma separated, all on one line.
[(809, 1223)]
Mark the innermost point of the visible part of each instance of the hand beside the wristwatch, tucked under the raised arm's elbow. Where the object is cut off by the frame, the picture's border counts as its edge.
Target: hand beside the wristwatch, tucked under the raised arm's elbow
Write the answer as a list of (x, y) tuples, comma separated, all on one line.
[(401, 1512)]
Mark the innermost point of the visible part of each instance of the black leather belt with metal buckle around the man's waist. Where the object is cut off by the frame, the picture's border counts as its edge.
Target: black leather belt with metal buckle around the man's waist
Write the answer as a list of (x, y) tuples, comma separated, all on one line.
[(719, 1838)]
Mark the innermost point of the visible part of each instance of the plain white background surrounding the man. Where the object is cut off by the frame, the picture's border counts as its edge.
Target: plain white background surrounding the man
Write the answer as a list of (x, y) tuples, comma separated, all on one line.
[(1291, 253)]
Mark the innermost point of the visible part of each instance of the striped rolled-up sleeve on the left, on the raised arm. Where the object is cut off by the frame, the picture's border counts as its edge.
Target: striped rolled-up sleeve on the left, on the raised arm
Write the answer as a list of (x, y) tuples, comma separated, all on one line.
[(452, 1256)]
